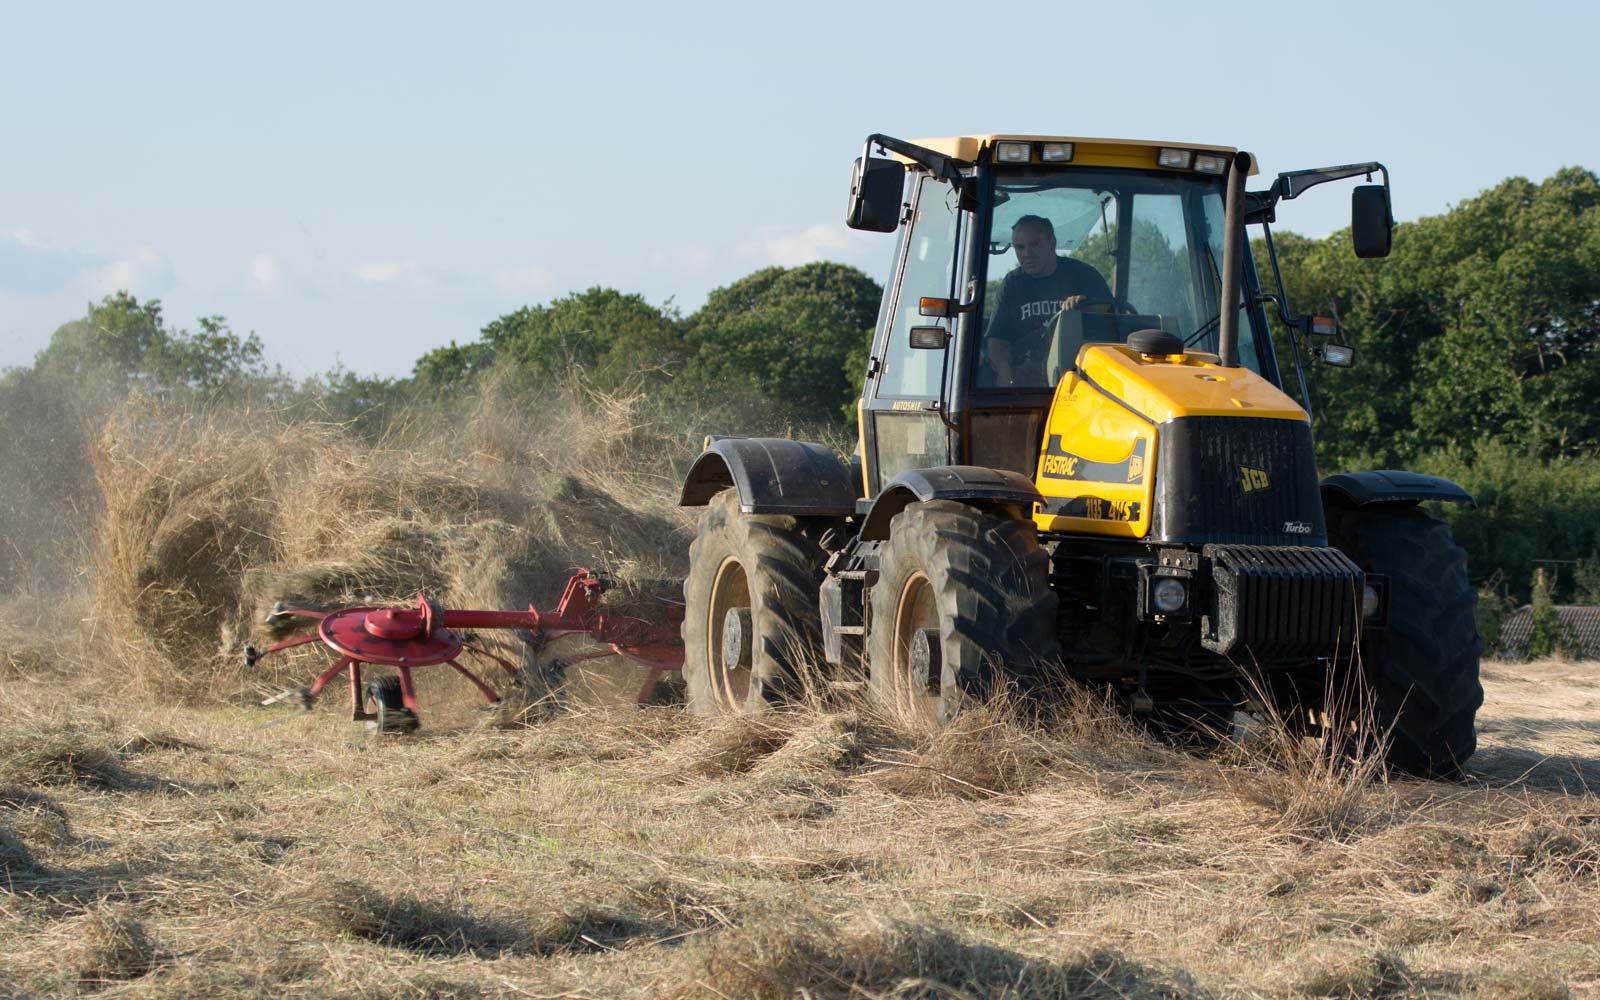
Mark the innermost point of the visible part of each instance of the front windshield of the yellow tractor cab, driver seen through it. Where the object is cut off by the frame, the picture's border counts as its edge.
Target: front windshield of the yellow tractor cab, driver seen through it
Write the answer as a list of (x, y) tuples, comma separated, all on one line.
[(1089, 255)]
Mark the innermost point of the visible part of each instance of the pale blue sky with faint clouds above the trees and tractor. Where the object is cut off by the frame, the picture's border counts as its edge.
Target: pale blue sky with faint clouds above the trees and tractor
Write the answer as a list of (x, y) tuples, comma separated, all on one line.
[(359, 183)]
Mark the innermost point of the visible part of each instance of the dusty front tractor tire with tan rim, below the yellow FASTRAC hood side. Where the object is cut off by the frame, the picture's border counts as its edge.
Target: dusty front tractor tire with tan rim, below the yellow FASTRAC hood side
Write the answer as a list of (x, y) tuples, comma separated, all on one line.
[(980, 585)]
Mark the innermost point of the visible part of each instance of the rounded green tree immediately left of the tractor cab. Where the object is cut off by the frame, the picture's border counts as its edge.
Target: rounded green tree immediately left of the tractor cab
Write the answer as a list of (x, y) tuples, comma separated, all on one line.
[(791, 337)]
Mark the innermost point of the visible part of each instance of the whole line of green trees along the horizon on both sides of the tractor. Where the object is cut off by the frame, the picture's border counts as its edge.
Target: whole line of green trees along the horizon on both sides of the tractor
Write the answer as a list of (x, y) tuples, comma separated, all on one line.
[(1476, 359)]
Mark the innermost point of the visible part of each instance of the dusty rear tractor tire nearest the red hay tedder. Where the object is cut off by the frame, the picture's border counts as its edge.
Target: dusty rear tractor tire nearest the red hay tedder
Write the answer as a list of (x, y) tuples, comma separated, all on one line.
[(769, 569)]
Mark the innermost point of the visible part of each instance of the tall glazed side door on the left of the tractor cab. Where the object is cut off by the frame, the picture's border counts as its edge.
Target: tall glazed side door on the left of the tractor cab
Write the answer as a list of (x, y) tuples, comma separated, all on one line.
[(902, 425)]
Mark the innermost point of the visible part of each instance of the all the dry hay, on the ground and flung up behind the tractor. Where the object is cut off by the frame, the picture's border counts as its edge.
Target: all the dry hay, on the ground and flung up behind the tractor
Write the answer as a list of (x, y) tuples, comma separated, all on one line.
[(158, 841)]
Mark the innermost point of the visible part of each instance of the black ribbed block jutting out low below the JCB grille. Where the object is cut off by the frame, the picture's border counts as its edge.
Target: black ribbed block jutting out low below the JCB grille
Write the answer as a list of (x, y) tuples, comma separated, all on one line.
[(1281, 601)]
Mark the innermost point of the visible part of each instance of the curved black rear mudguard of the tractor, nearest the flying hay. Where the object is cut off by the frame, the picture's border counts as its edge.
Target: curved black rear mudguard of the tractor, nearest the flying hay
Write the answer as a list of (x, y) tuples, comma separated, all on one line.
[(774, 476)]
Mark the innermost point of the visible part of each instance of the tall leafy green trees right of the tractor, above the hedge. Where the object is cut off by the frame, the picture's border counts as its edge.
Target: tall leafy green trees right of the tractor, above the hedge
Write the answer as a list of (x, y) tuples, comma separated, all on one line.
[(1481, 326)]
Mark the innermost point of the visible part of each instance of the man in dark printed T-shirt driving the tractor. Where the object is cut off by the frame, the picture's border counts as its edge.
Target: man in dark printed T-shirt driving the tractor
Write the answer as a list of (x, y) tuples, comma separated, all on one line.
[(1042, 286)]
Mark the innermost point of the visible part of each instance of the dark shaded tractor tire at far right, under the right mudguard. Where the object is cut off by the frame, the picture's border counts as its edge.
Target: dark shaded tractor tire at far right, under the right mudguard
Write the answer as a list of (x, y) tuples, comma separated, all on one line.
[(1422, 671)]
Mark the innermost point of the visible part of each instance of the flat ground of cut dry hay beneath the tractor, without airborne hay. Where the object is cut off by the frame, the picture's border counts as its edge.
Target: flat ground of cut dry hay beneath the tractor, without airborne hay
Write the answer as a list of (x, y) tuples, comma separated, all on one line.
[(185, 852)]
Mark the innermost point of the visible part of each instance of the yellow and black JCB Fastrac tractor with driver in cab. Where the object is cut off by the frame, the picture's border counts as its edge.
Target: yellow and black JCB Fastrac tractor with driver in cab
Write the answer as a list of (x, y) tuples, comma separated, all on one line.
[(1076, 454)]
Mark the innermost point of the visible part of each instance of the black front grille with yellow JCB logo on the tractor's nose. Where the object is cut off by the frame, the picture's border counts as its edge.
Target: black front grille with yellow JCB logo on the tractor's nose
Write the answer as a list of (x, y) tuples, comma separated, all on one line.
[(1238, 479)]
